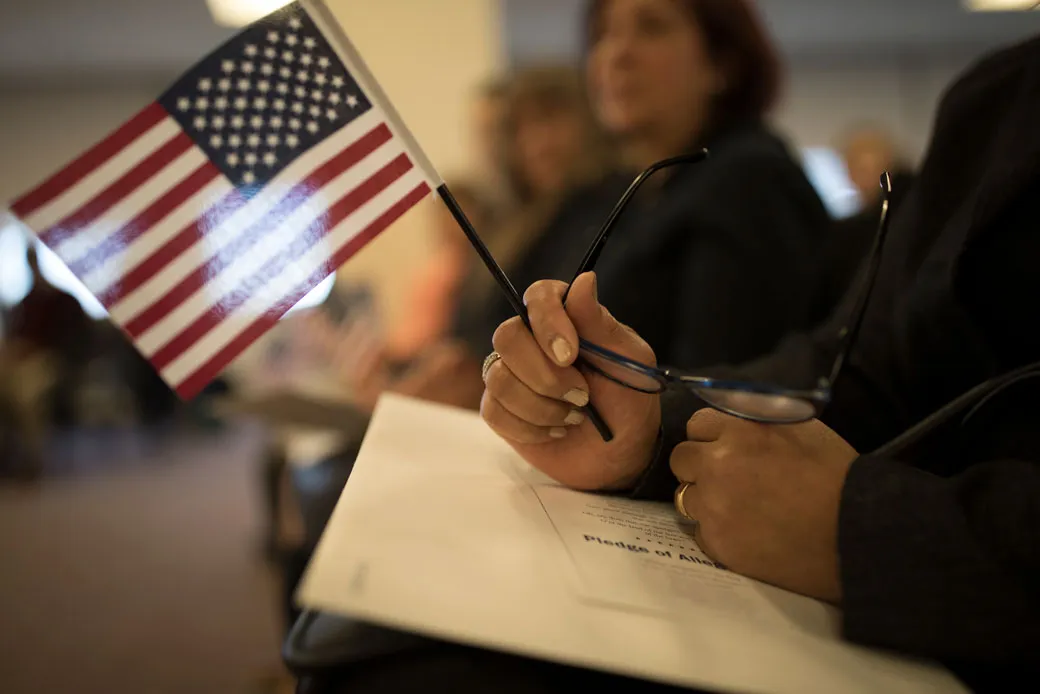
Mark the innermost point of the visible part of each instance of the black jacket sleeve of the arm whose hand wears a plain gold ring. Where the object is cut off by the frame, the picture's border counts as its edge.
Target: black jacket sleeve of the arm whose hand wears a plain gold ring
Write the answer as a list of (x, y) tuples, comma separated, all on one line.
[(944, 568)]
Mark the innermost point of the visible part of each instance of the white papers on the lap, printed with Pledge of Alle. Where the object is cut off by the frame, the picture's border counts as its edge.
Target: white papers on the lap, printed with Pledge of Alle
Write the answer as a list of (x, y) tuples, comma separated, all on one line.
[(444, 531)]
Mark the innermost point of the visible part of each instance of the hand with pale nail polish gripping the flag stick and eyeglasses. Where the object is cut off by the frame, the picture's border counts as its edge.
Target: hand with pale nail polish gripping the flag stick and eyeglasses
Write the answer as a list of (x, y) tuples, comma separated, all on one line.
[(534, 393)]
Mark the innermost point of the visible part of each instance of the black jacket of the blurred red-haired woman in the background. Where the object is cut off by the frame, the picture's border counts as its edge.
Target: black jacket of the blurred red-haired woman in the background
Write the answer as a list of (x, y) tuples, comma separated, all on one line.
[(717, 263)]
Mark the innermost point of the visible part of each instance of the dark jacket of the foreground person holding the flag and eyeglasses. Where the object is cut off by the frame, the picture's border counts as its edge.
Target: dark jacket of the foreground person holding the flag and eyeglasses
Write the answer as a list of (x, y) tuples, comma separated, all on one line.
[(940, 534)]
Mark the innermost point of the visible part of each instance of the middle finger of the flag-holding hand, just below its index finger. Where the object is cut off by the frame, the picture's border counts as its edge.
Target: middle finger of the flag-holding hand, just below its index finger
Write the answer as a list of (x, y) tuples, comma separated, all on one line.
[(523, 355)]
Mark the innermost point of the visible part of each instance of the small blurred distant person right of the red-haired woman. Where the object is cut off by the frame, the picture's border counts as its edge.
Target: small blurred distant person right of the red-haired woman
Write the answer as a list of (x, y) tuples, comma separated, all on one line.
[(868, 151)]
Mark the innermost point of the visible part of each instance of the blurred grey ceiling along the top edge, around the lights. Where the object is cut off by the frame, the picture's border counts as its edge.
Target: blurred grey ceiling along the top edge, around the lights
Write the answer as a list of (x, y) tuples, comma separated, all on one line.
[(133, 40)]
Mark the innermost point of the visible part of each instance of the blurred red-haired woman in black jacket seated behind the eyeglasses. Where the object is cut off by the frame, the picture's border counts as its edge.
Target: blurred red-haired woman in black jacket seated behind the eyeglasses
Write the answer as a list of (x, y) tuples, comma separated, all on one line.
[(726, 245)]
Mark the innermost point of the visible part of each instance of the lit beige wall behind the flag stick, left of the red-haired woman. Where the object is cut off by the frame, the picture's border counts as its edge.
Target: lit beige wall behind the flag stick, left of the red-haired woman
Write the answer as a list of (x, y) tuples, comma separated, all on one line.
[(429, 56)]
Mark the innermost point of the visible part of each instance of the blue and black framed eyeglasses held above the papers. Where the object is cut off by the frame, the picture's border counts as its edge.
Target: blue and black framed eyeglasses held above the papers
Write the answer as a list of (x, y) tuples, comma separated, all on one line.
[(750, 401)]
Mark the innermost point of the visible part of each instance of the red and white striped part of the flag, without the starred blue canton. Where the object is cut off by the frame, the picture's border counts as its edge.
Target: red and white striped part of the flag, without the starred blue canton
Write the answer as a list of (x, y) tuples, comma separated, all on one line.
[(191, 270)]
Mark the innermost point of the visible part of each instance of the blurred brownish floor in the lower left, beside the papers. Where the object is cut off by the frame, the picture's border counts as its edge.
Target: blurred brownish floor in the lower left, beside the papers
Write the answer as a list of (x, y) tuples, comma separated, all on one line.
[(135, 567)]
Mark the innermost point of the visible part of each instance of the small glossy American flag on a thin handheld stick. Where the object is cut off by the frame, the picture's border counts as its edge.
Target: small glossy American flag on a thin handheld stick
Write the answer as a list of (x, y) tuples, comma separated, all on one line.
[(215, 210)]
